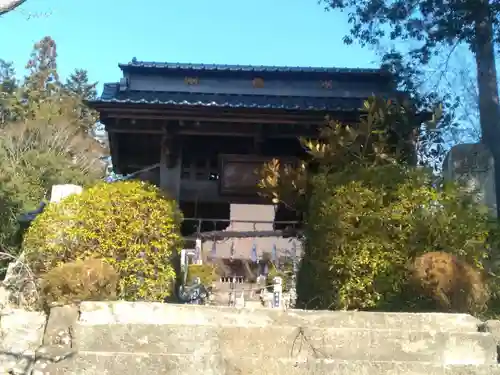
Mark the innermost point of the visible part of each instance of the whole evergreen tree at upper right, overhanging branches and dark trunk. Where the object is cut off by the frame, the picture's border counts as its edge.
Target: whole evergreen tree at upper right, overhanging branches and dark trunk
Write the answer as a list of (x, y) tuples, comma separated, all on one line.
[(431, 24)]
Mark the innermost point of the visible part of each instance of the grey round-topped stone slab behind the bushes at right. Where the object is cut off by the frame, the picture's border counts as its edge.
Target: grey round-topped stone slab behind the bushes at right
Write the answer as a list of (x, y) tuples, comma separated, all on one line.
[(471, 165)]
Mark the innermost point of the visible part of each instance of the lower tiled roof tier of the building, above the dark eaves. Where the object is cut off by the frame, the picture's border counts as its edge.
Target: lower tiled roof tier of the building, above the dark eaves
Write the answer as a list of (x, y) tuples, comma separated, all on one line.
[(111, 94)]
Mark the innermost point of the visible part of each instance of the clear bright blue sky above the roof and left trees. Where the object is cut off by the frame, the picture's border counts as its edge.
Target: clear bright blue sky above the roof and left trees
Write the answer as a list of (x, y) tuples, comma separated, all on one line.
[(97, 35)]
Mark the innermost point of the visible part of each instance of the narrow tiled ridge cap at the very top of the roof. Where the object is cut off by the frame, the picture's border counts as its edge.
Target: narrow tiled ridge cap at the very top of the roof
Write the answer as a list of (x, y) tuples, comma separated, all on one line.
[(245, 68)]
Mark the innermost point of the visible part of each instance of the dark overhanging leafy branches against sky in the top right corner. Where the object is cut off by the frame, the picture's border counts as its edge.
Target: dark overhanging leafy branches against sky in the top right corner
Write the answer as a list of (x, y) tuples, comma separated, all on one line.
[(430, 22)]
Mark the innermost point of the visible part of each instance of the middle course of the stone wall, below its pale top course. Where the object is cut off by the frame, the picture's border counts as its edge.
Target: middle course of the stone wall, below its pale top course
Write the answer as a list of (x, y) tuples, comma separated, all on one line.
[(283, 341)]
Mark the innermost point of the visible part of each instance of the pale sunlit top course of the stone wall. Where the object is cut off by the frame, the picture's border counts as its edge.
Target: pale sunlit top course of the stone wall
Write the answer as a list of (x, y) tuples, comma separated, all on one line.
[(162, 313)]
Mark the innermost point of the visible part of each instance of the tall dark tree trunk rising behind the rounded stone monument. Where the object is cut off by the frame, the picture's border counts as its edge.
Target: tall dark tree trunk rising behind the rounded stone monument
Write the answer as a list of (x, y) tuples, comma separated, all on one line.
[(489, 108)]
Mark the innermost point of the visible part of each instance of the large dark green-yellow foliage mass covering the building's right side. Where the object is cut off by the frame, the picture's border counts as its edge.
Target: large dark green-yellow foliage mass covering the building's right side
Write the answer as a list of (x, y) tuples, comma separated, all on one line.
[(370, 213)]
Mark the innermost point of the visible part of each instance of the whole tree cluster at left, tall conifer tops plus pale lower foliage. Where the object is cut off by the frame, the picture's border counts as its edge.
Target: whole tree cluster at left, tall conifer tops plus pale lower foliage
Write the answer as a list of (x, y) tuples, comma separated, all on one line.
[(44, 139)]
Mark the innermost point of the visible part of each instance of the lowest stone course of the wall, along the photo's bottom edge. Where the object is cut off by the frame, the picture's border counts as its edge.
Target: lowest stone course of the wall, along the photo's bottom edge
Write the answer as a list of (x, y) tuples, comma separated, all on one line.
[(86, 363)]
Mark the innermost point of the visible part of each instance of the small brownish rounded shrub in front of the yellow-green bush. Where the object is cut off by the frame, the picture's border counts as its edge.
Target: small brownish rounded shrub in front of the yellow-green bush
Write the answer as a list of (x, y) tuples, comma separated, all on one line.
[(81, 280)]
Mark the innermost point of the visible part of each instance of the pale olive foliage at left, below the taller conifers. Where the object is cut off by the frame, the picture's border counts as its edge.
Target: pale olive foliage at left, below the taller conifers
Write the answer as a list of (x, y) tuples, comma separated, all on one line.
[(35, 156)]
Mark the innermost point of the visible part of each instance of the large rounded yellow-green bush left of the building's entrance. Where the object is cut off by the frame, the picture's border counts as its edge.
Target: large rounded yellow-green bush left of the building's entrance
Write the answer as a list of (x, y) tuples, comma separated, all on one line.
[(129, 224)]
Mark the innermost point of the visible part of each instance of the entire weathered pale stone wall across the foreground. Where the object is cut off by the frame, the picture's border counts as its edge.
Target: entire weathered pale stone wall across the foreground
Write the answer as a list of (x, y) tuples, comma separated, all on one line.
[(154, 338)]
